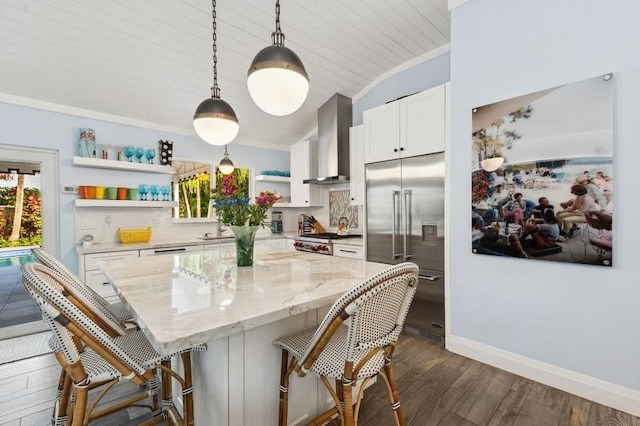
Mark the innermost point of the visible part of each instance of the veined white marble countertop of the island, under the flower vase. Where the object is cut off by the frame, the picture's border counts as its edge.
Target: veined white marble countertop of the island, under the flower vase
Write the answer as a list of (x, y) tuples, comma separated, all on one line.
[(192, 298)]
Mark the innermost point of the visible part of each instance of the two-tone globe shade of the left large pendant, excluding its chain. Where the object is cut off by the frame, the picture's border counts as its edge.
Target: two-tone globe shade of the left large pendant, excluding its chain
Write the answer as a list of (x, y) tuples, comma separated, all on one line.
[(215, 121)]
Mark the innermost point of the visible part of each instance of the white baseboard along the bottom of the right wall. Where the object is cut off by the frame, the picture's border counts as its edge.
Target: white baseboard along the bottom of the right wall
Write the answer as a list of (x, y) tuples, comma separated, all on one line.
[(600, 391)]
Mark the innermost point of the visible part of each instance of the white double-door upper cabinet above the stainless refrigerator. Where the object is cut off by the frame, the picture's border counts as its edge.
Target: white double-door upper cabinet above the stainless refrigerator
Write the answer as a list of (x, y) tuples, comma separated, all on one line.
[(411, 126)]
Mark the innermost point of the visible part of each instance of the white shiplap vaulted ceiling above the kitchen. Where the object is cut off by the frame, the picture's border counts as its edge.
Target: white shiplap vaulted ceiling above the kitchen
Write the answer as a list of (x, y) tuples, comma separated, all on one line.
[(149, 62)]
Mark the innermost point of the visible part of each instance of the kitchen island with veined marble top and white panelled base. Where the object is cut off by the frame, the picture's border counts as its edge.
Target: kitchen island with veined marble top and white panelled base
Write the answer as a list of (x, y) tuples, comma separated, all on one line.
[(203, 297)]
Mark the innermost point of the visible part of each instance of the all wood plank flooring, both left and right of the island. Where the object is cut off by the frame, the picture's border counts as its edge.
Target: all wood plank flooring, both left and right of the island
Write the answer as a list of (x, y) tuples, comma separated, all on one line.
[(437, 388)]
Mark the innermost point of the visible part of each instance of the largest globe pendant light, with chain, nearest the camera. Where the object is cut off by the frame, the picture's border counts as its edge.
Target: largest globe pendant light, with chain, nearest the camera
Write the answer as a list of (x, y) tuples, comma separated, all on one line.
[(277, 80)]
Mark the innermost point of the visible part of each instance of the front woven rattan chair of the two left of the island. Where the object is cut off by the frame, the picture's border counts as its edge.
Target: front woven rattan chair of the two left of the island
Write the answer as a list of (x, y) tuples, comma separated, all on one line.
[(92, 357)]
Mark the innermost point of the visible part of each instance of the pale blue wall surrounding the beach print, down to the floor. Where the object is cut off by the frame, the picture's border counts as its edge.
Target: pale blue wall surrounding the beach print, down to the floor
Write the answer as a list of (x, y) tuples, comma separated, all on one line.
[(574, 326)]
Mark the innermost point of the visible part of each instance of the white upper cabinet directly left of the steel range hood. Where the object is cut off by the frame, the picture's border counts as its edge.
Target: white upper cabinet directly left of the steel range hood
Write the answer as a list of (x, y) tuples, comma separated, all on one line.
[(303, 166)]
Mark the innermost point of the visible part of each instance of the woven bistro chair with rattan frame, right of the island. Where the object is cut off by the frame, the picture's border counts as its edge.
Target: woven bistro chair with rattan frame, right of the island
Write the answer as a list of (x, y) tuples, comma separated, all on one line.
[(354, 343)]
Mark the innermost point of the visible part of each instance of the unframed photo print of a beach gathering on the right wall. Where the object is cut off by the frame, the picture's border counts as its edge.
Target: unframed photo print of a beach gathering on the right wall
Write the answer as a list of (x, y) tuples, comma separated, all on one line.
[(542, 175)]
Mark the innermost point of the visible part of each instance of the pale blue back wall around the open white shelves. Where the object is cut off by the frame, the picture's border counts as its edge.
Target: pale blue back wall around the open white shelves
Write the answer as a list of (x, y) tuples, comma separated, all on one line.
[(23, 126)]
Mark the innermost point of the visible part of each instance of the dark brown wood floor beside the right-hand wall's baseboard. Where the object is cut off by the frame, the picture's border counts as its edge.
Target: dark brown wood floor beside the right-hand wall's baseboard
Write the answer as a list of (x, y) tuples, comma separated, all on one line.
[(441, 388)]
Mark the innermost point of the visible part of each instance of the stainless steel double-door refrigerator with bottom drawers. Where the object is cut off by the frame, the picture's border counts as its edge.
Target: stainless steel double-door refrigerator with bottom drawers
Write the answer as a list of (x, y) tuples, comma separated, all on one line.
[(405, 222)]
